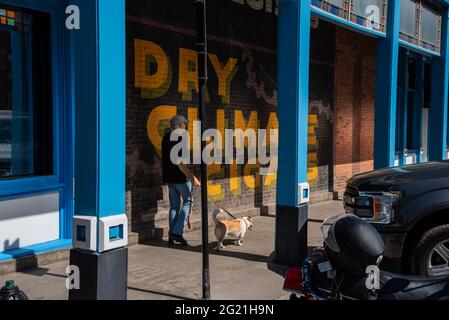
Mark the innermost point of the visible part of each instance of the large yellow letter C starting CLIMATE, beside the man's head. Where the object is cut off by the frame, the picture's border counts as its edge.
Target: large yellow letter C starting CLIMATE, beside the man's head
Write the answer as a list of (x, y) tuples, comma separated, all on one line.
[(158, 121)]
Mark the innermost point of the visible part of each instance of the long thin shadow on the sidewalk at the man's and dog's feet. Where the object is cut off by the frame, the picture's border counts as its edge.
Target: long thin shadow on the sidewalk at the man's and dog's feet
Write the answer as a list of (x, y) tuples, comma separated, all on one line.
[(212, 251)]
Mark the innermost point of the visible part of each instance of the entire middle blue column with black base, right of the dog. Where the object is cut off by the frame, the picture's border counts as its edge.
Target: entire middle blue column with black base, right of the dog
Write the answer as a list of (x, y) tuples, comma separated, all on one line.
[(293, 111)]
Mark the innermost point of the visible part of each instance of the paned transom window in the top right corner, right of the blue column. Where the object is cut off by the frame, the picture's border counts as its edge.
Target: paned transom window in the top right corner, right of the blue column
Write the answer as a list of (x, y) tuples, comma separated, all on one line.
[(421, 24)]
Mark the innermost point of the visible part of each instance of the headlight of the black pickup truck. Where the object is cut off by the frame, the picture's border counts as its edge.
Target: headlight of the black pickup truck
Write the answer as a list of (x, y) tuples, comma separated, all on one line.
[(382, 206)]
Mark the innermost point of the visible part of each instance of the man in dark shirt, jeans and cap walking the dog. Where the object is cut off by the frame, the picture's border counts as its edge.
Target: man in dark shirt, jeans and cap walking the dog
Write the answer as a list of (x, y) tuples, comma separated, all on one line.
[(180, 181)]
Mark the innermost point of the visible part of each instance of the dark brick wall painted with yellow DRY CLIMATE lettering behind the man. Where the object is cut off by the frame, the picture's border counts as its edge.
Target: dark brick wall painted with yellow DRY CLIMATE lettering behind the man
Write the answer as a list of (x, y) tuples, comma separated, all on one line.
[(242, 92)]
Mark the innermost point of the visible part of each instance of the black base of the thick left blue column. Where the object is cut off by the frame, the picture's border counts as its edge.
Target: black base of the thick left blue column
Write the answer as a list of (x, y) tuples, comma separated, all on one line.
[(103, 276)]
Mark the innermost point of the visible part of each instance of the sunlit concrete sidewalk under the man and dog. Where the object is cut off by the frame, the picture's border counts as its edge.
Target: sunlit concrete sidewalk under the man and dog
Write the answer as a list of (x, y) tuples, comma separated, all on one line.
[(159, 272)]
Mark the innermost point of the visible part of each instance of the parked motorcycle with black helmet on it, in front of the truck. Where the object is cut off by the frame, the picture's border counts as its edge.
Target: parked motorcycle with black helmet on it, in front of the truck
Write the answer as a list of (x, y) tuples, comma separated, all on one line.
[(347, 268)]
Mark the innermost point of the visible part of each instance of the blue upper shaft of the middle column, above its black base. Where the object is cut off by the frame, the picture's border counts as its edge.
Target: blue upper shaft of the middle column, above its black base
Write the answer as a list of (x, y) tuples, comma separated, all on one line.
[(293, 105)]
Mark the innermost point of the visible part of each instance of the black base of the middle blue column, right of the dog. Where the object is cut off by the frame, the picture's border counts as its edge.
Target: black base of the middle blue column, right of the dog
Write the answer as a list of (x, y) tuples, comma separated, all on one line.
[(291, 235)]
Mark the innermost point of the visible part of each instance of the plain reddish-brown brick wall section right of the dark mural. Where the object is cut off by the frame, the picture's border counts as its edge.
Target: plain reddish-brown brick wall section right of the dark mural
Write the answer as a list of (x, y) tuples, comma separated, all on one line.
[(355, 81)]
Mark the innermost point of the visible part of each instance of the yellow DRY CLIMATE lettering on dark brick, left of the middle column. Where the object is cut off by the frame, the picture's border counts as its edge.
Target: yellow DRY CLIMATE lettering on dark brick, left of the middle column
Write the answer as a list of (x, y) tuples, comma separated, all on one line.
[(153, 71)]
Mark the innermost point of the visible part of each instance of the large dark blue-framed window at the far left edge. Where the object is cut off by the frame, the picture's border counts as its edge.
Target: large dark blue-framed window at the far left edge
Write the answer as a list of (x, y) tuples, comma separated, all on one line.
[(26, 130)]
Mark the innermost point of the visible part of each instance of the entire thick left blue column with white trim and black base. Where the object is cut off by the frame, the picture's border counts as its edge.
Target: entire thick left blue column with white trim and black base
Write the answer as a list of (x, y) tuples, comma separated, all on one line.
[(100, 223)]
